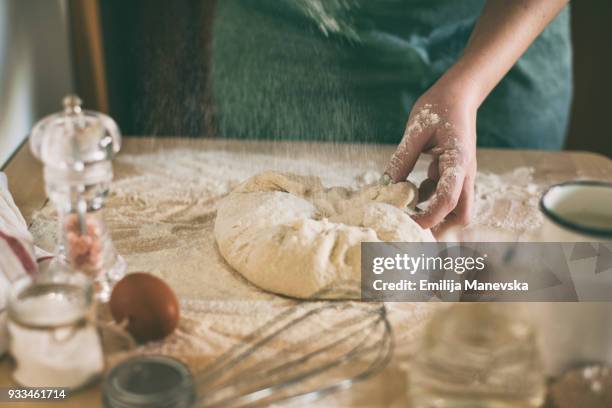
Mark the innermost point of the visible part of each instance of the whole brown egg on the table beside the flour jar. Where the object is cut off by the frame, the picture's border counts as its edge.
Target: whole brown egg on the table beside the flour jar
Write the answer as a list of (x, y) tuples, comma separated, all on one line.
[(147, 303)]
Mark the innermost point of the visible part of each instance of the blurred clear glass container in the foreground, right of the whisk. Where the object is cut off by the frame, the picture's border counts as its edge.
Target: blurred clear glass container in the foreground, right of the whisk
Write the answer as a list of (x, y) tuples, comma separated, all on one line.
[(476, 356)]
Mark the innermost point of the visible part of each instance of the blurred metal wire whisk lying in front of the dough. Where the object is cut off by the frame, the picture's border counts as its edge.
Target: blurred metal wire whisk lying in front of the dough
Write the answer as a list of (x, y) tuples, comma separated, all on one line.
[(306, 352)]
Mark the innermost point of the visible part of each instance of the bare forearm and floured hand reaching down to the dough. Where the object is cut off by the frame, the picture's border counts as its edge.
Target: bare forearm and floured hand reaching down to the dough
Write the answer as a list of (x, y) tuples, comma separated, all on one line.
[(443, 120)]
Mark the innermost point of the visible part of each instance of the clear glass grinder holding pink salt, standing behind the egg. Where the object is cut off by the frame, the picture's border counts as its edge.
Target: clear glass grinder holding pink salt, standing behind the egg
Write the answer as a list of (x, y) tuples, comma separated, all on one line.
[(76, 147)]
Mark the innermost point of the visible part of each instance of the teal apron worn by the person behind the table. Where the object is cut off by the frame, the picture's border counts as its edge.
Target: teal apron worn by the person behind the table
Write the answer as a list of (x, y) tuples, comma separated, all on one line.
[(350, 70)]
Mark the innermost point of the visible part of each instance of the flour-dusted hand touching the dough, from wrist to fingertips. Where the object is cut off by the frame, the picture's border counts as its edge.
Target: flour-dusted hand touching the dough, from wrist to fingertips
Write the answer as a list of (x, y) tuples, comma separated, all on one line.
[(442, 123)]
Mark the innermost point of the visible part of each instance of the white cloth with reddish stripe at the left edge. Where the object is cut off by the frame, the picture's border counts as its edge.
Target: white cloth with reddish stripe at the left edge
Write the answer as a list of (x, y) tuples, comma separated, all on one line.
[(17, 253)]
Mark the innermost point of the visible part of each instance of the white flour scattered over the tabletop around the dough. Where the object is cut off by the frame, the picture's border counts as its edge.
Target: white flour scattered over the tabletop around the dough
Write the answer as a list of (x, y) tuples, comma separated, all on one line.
[(161, 214)]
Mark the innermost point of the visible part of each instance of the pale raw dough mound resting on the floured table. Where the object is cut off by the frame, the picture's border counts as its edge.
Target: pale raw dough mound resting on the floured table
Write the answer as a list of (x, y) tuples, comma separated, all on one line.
[(290, 235)]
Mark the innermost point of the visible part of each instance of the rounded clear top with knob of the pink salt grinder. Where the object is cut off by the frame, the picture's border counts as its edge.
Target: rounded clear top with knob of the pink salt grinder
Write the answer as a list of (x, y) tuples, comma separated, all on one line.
[(74, 138)]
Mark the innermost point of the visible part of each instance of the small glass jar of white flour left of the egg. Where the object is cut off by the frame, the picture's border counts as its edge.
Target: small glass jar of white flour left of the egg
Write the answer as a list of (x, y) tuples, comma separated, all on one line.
[(53, 335)]
